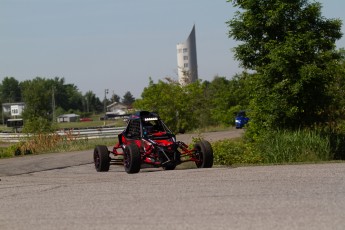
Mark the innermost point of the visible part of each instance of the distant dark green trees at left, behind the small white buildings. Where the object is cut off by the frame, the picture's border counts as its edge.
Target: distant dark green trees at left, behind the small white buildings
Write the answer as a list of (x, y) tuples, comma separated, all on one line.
[(45, 98)]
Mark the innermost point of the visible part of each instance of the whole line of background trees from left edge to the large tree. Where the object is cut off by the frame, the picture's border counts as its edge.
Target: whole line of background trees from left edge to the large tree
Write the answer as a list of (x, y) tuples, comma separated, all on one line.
[(197, 105)]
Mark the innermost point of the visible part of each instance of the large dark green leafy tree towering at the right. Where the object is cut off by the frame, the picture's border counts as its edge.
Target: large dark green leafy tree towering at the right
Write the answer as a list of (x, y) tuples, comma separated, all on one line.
[(290, 47)]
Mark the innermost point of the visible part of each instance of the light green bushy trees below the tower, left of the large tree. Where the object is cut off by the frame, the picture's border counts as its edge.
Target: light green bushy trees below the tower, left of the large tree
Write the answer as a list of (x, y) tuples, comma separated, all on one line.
[(197, 105)]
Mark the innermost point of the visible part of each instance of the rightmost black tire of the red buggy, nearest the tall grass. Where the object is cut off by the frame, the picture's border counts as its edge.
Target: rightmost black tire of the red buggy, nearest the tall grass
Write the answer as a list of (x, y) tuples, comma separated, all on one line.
[(204, 154)]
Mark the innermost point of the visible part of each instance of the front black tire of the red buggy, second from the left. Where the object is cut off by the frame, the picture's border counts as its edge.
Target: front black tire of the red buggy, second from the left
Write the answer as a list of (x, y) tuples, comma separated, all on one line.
[(132, 159)]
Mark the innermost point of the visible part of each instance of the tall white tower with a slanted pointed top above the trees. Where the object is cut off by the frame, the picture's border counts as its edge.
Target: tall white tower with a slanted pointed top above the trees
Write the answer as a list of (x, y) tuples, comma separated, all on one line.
[(187, 64)]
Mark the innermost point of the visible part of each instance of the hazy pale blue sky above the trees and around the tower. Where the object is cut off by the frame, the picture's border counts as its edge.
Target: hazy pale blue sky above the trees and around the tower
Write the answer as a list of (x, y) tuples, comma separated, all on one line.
[(118, 44)]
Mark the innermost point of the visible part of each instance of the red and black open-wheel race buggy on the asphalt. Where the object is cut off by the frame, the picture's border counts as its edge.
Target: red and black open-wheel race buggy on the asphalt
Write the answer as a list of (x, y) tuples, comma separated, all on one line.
[(147, 140)]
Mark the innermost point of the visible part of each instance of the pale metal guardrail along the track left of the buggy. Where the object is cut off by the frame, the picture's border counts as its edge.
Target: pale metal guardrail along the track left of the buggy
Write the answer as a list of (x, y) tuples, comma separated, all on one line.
[(94, 133)]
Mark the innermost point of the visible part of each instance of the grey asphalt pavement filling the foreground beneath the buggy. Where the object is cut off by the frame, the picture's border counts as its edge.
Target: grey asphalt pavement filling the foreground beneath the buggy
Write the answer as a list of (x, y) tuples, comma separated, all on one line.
[(75, 196)]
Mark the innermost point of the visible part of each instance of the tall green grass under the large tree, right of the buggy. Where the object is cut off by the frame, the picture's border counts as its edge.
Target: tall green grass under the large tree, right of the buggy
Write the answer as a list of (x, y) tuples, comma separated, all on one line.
[(277, 148)]
